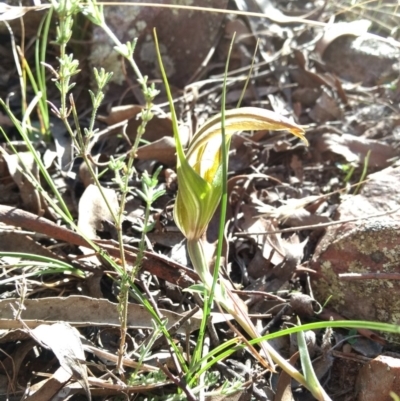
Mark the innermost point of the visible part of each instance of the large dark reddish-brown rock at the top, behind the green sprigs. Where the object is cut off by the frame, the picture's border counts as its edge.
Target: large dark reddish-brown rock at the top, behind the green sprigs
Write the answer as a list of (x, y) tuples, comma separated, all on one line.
[(186, 37)]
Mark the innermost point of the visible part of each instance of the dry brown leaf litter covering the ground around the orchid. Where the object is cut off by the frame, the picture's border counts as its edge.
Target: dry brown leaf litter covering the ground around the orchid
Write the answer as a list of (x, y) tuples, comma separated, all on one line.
[(283, 197)]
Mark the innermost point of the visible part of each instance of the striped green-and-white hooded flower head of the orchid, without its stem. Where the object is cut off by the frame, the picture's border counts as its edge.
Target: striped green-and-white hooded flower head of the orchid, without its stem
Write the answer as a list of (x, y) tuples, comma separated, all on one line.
[(199, 170)]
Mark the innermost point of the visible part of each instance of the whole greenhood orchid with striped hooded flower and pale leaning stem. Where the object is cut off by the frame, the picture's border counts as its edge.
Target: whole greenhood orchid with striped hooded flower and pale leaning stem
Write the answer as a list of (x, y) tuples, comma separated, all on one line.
[(199, 172)]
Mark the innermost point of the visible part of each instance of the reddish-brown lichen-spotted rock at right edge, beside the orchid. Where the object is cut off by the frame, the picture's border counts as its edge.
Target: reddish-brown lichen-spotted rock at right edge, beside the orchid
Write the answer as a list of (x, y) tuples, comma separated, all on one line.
[(369, 246)]
